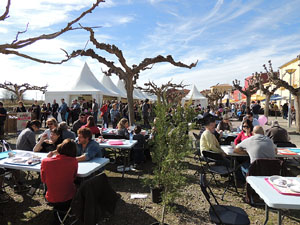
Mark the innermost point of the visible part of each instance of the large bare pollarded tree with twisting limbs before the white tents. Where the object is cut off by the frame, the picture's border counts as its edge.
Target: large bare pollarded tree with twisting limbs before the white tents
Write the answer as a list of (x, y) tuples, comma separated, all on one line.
[(124, 72)]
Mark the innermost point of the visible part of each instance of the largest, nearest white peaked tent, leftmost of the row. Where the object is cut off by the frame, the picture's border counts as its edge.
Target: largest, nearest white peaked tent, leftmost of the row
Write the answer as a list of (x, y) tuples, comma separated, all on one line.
[(85, 85)]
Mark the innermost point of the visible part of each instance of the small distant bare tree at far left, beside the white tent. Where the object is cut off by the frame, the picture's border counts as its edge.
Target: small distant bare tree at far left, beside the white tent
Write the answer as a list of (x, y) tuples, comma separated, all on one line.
[(18, 90)]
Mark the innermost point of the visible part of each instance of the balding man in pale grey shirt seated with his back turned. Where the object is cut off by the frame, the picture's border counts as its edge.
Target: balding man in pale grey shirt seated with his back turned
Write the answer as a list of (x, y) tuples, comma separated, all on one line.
[(258, 146)]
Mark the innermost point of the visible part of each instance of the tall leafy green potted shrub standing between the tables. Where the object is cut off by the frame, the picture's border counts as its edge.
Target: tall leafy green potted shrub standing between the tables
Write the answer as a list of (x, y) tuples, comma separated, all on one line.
[(171, 146)]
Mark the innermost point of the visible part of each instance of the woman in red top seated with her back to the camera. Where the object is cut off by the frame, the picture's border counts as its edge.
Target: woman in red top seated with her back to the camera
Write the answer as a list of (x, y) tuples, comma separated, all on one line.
[(59, 173)]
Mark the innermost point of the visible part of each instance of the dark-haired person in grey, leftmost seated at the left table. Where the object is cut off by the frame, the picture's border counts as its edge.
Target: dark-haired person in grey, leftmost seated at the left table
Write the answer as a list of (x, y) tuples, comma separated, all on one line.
[(26, 139)]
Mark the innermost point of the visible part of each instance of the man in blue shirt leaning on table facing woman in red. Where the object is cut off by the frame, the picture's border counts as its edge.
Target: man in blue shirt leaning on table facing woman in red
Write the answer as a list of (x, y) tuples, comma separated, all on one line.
[(87, 148)]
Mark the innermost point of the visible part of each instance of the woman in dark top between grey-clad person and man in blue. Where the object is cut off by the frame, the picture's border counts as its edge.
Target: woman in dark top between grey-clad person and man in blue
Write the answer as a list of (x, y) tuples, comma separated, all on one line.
[(48, 145)]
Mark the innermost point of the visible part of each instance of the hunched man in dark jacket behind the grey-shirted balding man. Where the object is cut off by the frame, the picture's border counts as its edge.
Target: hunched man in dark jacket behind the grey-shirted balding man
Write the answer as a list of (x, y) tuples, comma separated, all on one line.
[(279, 135)]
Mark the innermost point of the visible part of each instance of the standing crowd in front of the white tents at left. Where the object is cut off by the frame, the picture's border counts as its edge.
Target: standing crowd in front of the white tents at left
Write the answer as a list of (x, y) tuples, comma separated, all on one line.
[(111, 111)]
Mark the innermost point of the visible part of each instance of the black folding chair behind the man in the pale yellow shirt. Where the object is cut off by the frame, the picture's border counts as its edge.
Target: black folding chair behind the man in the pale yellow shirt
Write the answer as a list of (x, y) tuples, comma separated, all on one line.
[(219, 167)]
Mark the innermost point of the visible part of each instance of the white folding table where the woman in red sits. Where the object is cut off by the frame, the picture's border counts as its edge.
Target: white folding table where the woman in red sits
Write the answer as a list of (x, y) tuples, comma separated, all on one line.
[(84, 168)]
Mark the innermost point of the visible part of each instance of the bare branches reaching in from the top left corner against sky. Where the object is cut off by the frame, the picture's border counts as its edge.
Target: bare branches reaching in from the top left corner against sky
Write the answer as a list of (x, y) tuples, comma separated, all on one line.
[(14, 47)]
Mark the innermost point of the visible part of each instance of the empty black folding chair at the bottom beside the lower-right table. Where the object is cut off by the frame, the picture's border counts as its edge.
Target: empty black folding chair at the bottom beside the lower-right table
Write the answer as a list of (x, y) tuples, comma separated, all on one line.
[(222, 214)]
